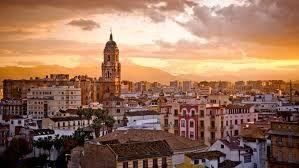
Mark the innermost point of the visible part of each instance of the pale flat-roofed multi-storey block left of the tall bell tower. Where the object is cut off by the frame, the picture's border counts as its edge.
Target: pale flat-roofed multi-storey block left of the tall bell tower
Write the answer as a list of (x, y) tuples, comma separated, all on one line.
[(47, 101)]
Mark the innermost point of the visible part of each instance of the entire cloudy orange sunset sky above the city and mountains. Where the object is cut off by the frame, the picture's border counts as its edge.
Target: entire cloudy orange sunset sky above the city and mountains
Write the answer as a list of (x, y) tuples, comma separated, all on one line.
[(256, 37)]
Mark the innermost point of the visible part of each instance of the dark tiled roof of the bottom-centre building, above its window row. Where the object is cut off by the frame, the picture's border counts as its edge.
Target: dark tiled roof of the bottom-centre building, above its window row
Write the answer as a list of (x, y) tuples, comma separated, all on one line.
[(140, 150)]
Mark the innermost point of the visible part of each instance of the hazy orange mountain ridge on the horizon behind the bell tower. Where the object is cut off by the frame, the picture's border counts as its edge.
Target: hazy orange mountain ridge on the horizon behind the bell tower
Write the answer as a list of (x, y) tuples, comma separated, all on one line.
[(129, 72)]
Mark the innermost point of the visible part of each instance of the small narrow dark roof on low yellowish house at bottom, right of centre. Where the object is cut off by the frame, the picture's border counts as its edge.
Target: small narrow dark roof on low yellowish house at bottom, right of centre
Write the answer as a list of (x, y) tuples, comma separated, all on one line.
[(210, 155)]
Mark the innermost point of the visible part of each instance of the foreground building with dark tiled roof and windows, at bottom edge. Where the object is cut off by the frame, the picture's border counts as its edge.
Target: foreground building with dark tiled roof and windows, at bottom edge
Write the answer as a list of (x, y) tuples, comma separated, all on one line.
[(156, 154)]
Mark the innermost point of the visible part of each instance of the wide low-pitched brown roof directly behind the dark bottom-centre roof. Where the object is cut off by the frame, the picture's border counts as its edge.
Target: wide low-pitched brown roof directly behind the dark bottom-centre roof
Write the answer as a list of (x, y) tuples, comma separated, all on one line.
[(176, 143)]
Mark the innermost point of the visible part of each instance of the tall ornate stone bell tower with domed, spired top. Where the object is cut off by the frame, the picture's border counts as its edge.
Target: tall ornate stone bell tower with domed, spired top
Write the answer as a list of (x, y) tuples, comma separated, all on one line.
[(109, 83)]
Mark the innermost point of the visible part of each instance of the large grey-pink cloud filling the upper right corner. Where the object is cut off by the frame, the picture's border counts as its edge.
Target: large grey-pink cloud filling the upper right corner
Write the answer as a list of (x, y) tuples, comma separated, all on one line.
[(264, 29)]
